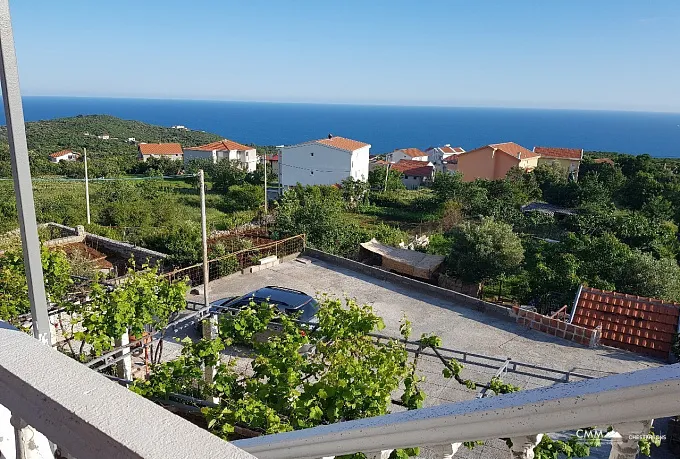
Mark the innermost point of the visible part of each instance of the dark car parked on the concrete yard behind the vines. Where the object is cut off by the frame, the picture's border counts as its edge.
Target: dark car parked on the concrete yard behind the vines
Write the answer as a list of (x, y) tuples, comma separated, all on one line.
[(286, 300)]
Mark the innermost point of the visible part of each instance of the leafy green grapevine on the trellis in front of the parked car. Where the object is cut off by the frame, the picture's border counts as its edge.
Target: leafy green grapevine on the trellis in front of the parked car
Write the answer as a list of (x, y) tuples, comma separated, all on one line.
[(348, 376)]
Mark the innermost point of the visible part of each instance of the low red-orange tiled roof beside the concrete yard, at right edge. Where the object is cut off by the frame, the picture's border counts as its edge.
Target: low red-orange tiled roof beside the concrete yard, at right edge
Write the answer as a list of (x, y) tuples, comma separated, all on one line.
[(638, 324)]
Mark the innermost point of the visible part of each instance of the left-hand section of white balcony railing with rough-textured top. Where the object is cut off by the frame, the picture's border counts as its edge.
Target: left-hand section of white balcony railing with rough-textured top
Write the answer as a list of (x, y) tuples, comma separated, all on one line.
[(45, 395)]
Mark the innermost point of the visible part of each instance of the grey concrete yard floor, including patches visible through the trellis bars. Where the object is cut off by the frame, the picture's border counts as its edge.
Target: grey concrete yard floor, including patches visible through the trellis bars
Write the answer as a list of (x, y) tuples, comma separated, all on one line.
[(460, 328)]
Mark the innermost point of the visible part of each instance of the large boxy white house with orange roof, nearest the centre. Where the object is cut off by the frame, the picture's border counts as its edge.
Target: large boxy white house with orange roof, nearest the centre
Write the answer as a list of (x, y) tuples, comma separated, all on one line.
[(323, 162)]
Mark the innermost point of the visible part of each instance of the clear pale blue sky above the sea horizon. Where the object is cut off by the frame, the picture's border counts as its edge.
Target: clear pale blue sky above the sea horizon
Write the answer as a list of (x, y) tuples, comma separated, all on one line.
[(591, 54)]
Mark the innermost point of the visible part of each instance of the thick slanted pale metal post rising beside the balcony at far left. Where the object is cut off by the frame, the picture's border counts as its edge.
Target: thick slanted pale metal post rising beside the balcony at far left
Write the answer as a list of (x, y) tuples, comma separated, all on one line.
[(21, 173)]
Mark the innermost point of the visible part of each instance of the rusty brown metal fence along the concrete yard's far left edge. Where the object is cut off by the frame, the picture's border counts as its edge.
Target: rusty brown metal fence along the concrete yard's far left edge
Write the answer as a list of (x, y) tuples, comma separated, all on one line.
[(239, 260)]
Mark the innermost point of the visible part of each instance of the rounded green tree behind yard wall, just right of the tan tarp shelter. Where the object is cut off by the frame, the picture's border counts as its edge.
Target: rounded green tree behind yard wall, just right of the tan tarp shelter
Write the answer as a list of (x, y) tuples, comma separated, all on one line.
[(481, 252)]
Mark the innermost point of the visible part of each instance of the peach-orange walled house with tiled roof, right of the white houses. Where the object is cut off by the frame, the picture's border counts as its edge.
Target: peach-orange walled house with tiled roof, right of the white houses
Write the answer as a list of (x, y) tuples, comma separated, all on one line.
[(492, 162)]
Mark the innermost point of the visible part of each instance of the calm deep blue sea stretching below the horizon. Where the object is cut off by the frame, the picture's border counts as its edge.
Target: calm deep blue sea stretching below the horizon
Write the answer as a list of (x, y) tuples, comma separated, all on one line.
[(387, 127)]
